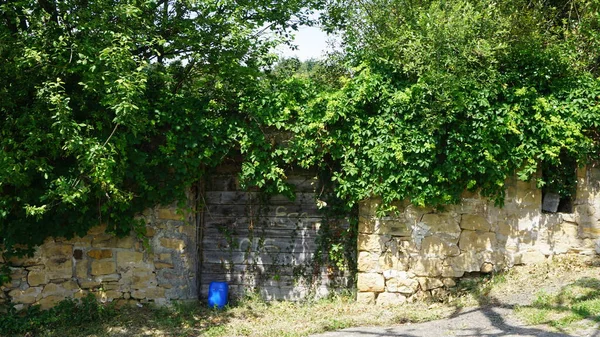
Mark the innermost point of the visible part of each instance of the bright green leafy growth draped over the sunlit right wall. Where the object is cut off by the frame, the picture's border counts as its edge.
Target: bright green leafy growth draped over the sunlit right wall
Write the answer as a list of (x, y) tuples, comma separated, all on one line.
[(443, 96)]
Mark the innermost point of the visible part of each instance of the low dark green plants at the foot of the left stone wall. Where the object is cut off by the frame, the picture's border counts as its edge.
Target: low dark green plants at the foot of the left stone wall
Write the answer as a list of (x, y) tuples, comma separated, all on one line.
[(67, 313)]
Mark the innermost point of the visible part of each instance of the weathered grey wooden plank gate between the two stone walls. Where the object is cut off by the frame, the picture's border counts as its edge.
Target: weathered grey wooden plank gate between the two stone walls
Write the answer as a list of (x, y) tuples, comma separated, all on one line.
[(259, 244)]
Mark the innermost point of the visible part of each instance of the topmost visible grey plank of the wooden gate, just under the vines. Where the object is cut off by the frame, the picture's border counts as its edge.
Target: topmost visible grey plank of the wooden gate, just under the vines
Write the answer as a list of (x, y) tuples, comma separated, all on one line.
[(255, 198)]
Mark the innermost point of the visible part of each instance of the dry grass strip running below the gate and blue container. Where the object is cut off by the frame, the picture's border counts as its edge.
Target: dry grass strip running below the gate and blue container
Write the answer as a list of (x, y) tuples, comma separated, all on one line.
[(248, 317)]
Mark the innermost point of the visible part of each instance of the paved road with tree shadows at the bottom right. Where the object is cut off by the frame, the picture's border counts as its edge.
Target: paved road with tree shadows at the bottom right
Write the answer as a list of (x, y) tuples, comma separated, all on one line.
[(481, 322)]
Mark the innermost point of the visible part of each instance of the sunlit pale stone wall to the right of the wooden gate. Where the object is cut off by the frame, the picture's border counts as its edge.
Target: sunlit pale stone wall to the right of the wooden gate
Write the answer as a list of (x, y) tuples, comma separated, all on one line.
[(422, 251)]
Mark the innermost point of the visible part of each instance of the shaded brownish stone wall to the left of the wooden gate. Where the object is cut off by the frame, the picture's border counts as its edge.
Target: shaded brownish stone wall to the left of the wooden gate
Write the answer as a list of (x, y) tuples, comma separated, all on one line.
[(158, 268)]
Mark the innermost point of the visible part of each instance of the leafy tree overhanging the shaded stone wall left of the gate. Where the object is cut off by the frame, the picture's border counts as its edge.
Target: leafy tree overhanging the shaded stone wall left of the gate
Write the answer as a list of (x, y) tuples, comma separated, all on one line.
[(110, 106)]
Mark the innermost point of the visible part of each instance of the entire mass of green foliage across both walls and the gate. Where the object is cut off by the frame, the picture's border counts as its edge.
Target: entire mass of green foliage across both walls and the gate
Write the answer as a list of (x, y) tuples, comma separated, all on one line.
[(110, 107)]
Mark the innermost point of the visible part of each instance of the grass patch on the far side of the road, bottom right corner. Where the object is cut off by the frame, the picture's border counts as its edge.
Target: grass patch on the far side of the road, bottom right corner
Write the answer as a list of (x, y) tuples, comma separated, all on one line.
[(574, 303)]
